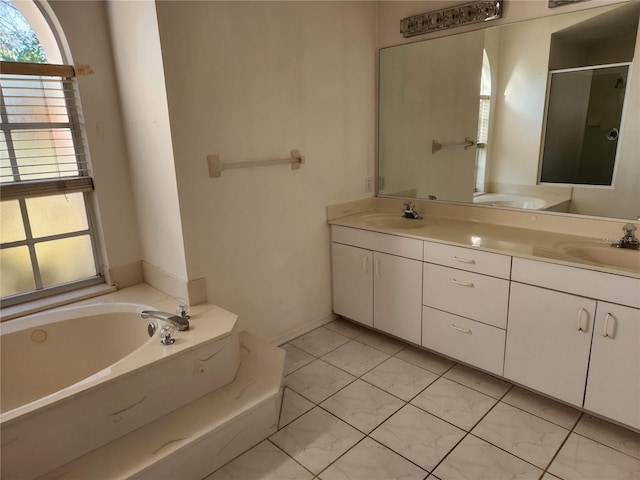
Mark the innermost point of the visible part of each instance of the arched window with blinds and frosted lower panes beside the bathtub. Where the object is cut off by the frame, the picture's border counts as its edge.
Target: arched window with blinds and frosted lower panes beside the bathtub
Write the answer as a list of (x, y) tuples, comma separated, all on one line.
[(47, 234)]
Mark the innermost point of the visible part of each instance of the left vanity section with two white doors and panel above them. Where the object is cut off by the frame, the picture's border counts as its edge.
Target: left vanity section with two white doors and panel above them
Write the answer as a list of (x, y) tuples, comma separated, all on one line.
[(377, 280)]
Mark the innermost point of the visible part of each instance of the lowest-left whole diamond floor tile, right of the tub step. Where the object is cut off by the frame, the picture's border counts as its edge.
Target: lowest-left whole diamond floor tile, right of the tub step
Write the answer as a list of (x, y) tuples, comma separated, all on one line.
[(316, 439)]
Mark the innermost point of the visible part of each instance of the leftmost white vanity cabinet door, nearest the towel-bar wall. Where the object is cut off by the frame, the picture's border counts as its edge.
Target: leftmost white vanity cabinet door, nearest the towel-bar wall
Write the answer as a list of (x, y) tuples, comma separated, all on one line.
[(352, 283)]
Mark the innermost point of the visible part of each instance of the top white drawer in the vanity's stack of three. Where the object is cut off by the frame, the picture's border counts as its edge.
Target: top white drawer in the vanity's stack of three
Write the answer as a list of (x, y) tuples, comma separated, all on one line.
[(468, 259)]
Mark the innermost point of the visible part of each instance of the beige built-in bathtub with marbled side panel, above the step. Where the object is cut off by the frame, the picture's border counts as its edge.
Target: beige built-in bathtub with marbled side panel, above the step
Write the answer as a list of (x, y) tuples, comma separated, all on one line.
[(76, 378)]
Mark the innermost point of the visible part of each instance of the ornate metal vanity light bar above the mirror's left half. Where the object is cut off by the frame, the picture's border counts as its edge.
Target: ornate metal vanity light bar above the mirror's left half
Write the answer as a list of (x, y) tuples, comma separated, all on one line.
[(472, 12)]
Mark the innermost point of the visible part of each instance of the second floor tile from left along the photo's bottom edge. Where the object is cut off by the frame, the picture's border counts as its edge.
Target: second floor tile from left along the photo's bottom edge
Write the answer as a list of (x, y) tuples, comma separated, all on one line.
[(371, 461)]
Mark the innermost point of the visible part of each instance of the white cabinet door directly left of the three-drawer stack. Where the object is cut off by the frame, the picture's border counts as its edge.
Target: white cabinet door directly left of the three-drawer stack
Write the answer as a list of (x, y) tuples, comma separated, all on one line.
[(398, 296)]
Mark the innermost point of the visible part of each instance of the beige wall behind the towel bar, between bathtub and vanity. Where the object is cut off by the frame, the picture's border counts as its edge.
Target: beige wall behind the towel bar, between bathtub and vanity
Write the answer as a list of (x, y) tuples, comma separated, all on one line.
[(251, 81)]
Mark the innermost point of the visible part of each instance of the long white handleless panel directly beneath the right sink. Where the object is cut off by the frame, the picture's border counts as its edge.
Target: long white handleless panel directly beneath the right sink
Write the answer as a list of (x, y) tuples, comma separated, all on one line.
[(580, 281)]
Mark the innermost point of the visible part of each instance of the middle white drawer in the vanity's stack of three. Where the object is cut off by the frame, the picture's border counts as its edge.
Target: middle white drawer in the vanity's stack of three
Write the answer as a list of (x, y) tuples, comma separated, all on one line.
[(470, 295)]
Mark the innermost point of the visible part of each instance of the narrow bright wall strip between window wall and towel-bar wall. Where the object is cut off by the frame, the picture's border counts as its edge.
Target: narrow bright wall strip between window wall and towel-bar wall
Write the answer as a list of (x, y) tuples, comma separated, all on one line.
[(136, 47)]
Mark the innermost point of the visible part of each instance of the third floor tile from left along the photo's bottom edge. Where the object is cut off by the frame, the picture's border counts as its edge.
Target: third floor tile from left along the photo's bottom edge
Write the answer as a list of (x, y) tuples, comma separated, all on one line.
[(475, 459)]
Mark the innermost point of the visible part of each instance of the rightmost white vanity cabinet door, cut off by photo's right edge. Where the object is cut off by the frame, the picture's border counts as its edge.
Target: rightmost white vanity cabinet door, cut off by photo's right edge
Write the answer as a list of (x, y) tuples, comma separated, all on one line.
[(613, 385)]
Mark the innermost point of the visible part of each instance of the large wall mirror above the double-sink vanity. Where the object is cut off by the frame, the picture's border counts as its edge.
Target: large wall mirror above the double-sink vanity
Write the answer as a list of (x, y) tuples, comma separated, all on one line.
[(488, 117)]
